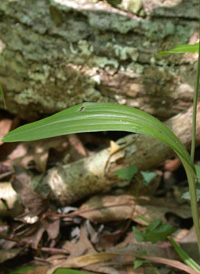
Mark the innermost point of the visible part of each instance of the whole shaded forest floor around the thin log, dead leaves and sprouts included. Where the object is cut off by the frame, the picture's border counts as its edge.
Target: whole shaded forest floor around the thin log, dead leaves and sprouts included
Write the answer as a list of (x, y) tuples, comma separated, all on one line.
[(93, 235)]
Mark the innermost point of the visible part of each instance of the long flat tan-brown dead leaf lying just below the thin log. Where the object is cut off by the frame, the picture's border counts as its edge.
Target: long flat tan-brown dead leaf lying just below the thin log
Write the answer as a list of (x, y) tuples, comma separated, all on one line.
[(107, 208)]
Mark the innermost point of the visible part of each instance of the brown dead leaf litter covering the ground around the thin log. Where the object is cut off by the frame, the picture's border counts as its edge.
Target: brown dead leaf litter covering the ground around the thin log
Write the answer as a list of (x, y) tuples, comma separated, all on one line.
[(91, 235)]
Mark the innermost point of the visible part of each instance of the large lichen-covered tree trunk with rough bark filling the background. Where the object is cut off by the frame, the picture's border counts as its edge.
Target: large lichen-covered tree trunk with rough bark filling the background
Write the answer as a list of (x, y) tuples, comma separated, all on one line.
[(58, 53)]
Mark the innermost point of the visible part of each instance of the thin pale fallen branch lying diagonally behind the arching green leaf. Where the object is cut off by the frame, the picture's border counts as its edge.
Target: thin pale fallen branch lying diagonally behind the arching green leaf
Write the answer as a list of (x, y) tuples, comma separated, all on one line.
[(69, 183)]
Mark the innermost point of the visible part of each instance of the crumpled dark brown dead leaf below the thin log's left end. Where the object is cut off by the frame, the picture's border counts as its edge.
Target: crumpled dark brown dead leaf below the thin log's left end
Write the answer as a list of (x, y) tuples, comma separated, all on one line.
[(37, 217)]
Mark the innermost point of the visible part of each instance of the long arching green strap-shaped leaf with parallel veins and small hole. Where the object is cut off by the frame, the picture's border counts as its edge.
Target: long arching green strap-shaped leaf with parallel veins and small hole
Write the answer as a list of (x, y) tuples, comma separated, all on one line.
[(90, 117)]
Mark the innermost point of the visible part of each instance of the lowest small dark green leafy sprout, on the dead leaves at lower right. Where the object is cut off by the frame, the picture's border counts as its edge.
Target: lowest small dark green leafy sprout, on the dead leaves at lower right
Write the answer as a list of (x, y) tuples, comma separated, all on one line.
[(154, 232)]
